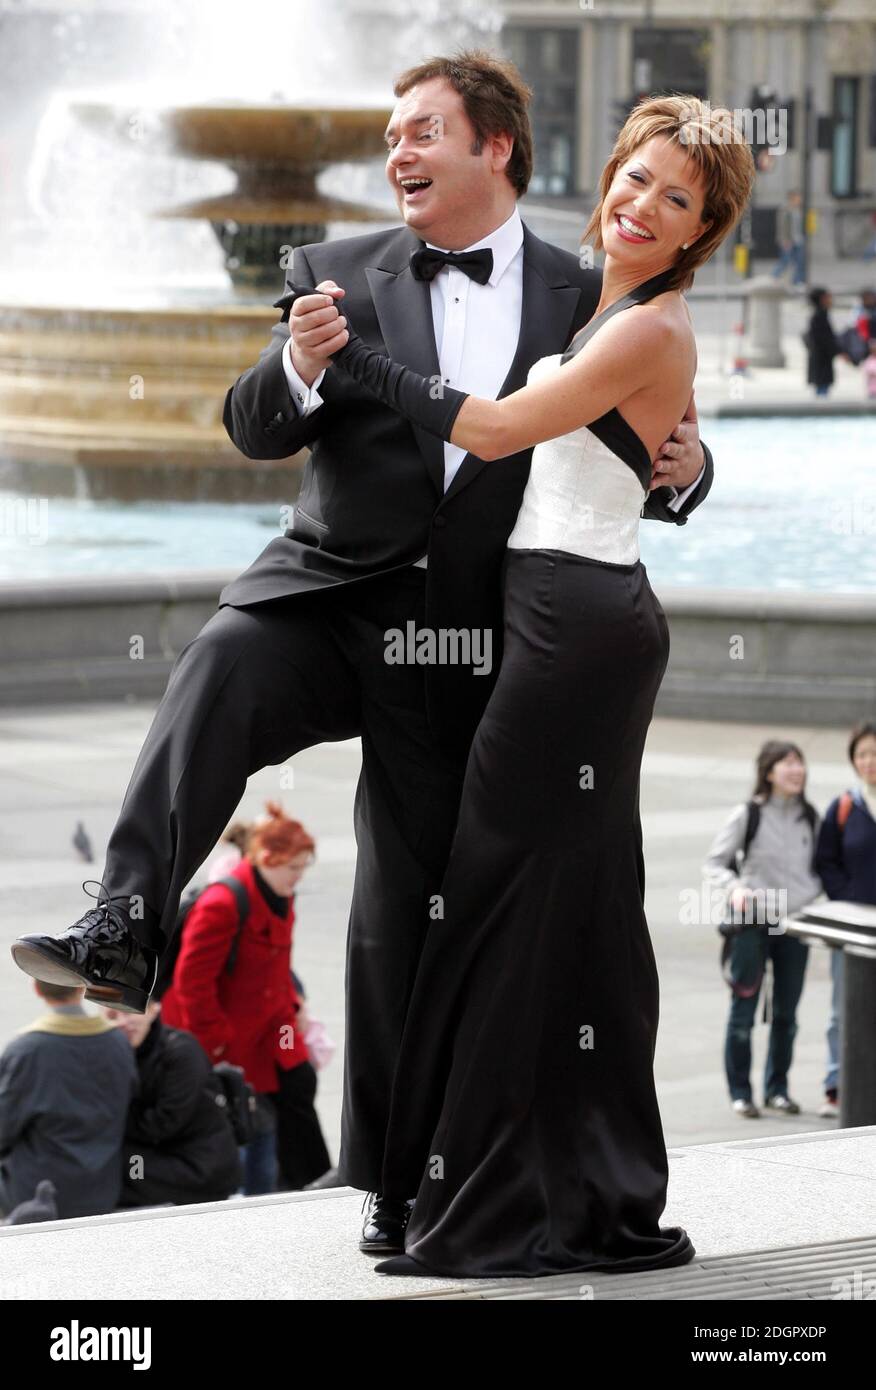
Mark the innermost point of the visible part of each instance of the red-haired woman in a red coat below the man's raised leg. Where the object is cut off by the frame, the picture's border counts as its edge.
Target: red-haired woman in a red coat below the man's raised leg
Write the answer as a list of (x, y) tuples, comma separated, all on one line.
[(252, 1015)]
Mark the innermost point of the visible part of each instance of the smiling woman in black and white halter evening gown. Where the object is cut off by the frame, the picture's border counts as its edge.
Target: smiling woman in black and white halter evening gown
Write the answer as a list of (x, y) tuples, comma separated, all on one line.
[(525, 1114)]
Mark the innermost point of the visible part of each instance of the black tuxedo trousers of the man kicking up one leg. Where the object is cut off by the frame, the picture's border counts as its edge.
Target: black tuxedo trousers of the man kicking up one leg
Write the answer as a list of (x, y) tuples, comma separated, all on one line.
[(257, 686)]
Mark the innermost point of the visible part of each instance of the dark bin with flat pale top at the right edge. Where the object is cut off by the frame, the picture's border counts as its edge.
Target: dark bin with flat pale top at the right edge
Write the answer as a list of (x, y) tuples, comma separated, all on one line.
[(852, 929)]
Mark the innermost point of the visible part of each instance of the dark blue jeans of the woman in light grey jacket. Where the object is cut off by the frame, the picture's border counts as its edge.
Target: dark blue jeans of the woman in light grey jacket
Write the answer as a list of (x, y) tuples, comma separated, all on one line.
[(752, 950)]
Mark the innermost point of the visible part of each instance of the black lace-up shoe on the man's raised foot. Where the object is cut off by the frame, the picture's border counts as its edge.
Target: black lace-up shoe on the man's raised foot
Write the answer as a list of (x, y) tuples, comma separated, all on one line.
[(98, 951)]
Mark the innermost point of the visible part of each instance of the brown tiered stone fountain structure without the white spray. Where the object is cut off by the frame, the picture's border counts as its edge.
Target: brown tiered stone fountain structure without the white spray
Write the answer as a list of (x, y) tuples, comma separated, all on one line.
[(127, 402)]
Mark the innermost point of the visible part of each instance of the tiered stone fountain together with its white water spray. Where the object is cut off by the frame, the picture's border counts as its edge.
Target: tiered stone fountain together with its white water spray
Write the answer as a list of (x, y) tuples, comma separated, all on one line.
[(119, 330)]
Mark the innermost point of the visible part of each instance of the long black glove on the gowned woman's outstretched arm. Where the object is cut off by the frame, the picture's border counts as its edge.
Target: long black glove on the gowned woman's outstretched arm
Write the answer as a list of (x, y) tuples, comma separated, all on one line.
[(426, 402)]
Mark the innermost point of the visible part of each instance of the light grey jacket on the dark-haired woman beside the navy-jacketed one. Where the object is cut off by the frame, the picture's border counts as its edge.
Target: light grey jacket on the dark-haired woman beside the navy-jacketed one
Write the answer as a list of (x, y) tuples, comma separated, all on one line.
[(779, 857)]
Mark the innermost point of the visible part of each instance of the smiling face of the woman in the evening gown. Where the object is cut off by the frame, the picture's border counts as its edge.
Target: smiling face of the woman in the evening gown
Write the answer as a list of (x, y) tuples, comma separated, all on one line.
[(654, 206)]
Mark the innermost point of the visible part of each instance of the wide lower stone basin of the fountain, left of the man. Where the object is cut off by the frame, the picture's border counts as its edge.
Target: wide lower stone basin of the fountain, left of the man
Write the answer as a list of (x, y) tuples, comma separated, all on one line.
[(126, 402)]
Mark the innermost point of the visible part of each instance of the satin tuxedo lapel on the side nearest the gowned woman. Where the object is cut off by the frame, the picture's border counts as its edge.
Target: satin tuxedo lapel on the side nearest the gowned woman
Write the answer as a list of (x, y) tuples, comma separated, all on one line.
[(546, 322)]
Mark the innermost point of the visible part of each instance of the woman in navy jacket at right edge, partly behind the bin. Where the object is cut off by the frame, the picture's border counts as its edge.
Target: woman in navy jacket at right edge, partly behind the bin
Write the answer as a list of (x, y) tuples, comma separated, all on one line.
[(846, 860)]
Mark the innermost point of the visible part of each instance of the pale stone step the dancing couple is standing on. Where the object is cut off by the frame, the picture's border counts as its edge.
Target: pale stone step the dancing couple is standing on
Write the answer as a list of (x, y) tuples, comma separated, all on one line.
[(772, 1220)]
